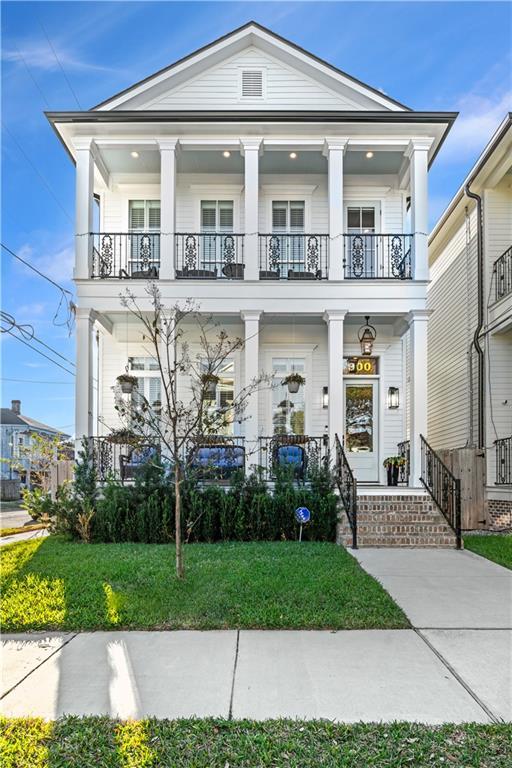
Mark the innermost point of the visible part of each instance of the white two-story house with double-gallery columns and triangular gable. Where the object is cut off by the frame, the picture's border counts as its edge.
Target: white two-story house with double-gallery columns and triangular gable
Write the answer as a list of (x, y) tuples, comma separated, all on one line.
[(290, 200)]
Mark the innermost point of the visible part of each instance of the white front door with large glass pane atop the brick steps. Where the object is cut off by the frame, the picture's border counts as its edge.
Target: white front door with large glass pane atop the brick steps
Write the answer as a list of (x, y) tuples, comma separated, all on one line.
[(362, 428)]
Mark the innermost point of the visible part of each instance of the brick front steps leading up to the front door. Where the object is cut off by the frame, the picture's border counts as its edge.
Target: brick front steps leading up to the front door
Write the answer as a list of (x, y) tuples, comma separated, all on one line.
[(397, 521)]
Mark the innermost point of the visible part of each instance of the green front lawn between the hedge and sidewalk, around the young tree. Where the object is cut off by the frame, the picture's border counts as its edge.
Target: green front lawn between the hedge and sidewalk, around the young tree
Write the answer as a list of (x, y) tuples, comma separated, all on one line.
[(52, 583)]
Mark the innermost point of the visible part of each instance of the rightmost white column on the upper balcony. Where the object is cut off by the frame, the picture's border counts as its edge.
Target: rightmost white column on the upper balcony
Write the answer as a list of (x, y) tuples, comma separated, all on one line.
[(417, 151)]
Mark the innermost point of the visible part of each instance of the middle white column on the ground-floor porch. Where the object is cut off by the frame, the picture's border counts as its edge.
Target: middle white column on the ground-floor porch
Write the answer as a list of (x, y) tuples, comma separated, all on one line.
[(251, 320)]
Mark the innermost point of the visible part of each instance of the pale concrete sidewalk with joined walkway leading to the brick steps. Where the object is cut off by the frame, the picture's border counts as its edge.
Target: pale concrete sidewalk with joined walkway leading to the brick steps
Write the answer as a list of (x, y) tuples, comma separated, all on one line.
[(429, 675)]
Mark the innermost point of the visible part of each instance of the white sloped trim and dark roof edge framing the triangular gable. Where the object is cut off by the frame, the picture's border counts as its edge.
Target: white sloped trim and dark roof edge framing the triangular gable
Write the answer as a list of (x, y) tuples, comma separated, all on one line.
[(249, 33)]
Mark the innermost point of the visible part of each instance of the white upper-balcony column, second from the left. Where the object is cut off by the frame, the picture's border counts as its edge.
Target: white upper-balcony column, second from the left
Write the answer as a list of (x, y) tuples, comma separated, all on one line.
[(167, 207)]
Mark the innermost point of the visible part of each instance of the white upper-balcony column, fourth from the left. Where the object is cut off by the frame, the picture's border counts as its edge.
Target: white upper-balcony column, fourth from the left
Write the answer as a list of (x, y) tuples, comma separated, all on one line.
[(334, 149)]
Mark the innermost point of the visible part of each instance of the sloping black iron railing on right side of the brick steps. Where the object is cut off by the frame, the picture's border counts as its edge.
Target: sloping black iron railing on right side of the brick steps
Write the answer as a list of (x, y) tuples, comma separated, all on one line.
[(443, 487)]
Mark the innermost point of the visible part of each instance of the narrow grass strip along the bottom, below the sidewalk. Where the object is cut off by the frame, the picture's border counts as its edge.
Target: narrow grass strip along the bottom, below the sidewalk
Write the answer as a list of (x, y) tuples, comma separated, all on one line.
[(98, 742)]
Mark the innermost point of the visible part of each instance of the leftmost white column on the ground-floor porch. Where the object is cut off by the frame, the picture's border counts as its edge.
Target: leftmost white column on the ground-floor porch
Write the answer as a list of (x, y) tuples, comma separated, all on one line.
[(84, 394)]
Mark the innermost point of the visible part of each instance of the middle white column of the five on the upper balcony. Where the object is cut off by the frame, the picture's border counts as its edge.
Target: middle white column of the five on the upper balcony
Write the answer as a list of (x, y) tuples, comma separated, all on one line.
[(250, 149)]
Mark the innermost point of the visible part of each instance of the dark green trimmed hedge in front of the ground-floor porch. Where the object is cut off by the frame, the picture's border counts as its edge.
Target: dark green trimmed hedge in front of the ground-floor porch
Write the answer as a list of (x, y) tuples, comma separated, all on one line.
[(246, 510)]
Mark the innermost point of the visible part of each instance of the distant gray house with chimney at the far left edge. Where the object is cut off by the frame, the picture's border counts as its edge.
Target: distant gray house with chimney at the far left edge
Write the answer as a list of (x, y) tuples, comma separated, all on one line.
[(16, 432)]
